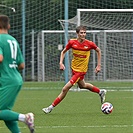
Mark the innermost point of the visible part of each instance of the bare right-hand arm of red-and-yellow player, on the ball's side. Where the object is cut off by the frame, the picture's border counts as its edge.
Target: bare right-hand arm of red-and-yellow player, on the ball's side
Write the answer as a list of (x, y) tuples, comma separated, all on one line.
[(98, 68)]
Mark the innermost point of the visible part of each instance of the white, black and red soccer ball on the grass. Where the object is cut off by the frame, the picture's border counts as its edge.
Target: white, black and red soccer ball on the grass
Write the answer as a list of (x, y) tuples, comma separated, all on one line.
[(107, 108)]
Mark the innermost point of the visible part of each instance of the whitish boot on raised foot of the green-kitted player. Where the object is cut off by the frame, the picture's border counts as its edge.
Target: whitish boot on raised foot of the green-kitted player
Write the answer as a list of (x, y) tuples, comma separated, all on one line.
[(29, 121)]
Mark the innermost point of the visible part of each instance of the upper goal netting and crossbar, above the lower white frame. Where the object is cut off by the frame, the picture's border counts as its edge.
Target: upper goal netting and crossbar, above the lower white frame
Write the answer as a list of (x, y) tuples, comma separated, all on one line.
[(102, 19)]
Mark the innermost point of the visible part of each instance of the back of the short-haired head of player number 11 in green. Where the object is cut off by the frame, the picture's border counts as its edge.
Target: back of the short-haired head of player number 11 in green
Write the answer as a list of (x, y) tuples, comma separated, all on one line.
[(4, 22)]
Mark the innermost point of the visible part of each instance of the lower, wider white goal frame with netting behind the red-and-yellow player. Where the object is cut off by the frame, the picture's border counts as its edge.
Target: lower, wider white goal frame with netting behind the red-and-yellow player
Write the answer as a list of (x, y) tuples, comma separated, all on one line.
[(117, 55)]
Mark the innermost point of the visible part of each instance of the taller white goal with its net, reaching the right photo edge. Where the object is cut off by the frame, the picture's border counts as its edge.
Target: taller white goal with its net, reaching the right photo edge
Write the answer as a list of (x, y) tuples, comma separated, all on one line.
[(114, 37)]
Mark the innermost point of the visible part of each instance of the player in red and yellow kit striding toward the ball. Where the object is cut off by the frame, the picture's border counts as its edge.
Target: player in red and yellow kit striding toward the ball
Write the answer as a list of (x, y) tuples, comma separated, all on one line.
[(81, 52)]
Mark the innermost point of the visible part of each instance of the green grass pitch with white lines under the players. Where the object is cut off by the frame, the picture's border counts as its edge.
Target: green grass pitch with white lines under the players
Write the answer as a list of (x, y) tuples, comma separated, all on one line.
[(79, 112)]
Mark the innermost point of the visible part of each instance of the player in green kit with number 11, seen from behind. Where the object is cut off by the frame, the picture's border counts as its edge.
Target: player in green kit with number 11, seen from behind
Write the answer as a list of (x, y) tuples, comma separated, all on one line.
[(11, 62)]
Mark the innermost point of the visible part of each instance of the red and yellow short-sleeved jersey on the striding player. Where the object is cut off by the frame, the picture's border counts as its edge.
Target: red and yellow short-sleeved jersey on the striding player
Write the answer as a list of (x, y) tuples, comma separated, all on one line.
[(81, 54)]
